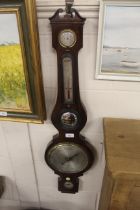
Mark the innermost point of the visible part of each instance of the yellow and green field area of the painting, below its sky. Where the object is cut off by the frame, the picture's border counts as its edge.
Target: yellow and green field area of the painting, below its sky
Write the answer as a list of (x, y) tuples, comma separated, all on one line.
[(13, 94)]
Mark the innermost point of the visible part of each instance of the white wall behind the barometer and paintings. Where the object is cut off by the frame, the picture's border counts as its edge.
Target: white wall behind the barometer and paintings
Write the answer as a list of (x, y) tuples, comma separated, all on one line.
[(29, 181)]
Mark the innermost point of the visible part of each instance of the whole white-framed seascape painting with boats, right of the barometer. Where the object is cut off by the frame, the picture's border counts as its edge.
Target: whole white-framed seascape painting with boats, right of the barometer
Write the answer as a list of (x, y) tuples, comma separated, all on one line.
[(118, 49)]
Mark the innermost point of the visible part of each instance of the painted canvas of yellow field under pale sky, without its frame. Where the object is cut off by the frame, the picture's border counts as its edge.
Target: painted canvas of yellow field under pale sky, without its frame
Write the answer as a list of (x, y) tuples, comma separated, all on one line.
[(13, 88)]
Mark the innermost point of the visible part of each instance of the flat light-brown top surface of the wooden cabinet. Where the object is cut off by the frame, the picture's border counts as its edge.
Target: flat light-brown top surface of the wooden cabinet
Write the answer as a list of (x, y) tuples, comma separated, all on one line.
[(122, 142)]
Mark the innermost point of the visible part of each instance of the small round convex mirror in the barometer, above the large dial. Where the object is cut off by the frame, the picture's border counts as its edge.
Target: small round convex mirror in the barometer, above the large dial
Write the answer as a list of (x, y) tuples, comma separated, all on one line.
[(69, 119)]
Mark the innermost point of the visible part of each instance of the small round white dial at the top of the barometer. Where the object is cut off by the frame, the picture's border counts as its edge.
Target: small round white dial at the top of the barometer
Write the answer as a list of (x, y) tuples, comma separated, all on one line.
[(67, 38)]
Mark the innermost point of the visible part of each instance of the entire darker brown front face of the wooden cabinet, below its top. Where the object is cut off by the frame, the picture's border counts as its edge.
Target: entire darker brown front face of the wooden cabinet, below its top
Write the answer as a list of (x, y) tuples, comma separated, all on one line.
[(123, 193)]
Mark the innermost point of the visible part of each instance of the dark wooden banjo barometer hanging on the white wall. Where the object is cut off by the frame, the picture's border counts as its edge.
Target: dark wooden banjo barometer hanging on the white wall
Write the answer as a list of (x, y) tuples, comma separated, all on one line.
[(68, 154)]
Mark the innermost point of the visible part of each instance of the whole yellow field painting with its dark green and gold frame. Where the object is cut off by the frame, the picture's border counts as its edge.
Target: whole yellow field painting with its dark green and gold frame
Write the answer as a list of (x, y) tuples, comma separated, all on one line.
[(21, 87)]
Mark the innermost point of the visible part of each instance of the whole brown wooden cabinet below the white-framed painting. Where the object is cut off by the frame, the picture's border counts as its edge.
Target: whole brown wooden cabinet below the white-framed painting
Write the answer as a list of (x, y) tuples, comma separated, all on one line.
[(121, 183)]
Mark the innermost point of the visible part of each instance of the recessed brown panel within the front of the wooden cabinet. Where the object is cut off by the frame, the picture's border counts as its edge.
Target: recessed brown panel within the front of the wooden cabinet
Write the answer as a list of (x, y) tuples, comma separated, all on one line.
[(126, 193)]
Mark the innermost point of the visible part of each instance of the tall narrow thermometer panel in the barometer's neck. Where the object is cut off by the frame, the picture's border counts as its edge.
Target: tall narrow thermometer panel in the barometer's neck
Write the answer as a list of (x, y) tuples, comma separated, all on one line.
[(68, 79)]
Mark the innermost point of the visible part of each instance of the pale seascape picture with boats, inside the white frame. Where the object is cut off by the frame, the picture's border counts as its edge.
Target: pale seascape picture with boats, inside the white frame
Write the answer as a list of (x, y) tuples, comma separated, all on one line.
[(121, 40)]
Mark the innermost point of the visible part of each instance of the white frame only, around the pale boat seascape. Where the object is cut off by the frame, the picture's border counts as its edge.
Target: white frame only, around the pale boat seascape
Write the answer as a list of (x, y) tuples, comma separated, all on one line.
[(110, 75)]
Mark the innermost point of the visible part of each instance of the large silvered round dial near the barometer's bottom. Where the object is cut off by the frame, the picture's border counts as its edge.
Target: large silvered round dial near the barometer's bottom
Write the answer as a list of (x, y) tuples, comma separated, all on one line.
[(68, 158)]
